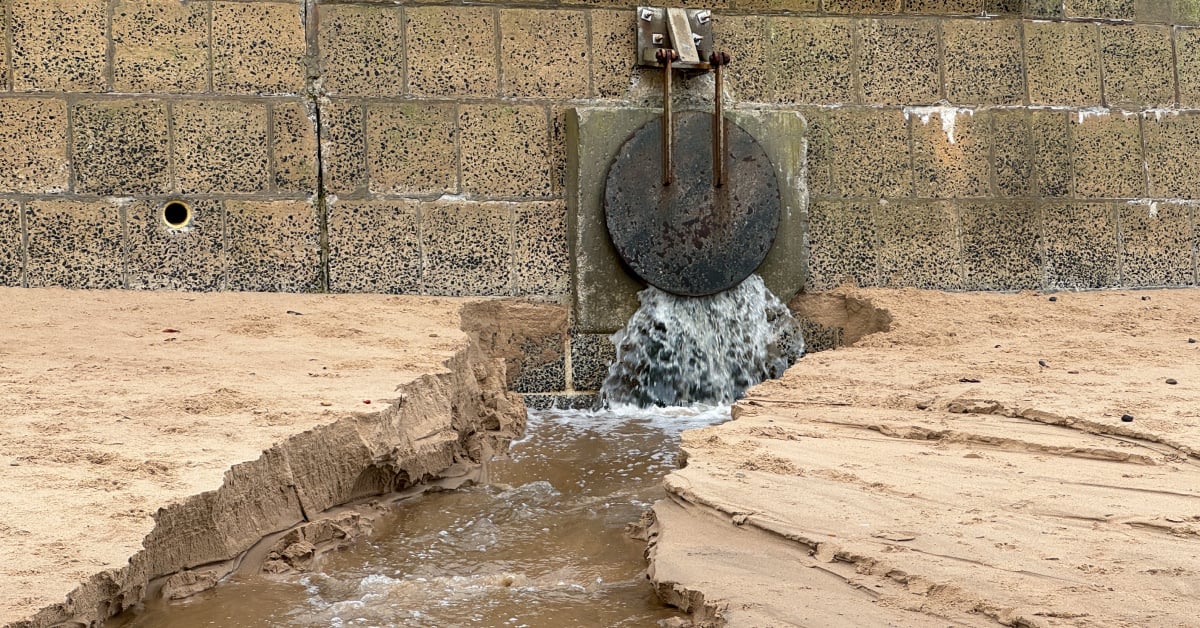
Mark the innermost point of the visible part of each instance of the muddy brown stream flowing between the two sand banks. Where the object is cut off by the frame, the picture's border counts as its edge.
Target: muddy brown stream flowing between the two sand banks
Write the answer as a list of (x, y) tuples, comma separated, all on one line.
[(543, 545)]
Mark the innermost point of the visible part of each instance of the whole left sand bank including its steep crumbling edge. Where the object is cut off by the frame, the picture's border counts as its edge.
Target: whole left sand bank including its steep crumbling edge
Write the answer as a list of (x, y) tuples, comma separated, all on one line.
[(146, 434)]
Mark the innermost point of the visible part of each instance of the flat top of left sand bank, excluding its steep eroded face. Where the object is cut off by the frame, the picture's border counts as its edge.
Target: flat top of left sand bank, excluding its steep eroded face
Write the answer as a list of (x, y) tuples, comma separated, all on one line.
[(116, 404)]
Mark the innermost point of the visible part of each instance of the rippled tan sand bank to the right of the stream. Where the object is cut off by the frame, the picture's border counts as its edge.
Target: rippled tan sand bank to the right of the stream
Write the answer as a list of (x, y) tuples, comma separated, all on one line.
[(938, 475)]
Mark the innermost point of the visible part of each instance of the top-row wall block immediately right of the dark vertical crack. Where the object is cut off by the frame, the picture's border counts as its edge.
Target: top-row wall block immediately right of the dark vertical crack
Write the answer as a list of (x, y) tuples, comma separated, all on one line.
[(362, 50)]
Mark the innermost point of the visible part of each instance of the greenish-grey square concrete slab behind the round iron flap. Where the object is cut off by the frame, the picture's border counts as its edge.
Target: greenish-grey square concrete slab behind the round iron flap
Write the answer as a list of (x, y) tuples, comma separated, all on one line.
[(605, 292)]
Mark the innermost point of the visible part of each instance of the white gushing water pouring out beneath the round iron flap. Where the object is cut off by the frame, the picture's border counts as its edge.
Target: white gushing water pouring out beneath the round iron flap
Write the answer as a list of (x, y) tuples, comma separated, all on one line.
[(681, 351)]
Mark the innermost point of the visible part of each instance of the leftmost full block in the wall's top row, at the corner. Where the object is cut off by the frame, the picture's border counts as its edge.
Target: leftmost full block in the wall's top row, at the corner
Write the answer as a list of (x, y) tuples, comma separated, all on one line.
[(59, 45)]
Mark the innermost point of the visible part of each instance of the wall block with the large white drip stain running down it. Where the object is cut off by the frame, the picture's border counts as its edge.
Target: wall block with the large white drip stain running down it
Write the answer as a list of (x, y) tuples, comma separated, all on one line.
[(951, 155)]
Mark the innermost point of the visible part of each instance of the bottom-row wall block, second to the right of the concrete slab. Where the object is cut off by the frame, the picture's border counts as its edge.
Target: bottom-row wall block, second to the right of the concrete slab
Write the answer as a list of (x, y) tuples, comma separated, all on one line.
[(919, 246)]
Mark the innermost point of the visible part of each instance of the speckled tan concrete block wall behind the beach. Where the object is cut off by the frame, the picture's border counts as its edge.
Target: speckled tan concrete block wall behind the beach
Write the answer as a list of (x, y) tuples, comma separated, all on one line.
[(419, 147)]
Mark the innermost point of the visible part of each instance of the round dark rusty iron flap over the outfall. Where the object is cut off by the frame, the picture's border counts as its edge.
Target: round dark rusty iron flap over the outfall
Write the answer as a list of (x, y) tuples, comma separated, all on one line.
[(688, 238)]
